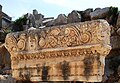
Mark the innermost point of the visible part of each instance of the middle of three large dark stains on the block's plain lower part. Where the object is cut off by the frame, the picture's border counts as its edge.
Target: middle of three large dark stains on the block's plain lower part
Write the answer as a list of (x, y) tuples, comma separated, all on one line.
[(65, 70)]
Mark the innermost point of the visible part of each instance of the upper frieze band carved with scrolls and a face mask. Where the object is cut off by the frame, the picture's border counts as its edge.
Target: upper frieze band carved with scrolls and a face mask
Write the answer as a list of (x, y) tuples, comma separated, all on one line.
[(60, 36)]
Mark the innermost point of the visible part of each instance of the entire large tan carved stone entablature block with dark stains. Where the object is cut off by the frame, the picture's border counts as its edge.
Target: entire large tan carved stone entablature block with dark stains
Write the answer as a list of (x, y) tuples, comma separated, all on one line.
[(67, 52)]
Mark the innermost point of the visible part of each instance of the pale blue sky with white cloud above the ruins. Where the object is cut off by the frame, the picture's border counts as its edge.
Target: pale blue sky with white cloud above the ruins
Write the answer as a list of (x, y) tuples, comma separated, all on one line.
[(51, 8)]
